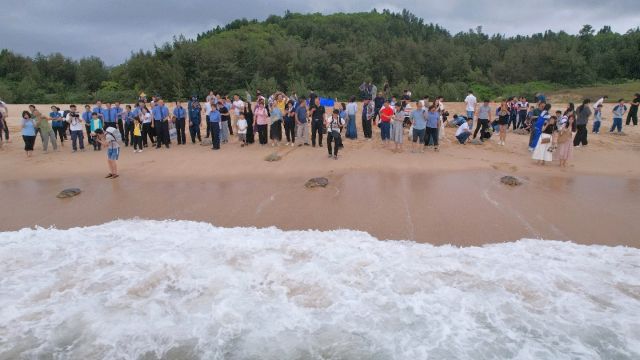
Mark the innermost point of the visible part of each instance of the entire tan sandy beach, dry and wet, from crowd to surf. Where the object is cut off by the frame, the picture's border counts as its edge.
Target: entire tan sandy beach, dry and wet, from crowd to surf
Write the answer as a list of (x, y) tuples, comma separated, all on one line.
[(453, 196)]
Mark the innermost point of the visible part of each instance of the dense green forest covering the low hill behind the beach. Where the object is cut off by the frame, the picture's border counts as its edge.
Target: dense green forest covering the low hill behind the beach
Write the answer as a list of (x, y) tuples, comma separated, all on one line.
[(333, 55)]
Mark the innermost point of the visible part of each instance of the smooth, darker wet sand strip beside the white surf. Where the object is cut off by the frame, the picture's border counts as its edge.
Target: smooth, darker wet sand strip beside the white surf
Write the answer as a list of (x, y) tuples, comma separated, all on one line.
[(467, 208)]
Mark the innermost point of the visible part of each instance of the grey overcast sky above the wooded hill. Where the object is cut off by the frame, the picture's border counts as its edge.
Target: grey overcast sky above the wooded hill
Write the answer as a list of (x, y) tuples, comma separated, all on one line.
[(112, 29)]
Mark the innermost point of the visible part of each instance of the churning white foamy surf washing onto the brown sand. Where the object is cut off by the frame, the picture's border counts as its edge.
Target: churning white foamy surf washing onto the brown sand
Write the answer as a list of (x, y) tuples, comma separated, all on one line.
[(185, 290)]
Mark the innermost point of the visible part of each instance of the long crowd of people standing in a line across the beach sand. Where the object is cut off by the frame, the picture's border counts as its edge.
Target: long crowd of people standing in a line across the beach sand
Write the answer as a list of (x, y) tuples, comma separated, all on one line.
[(306, 121)]
